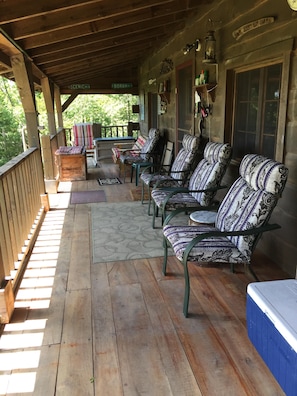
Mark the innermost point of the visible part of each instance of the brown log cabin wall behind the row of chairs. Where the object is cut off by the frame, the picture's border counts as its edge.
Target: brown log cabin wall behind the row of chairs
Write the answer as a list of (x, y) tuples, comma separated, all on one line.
[(257, 47)]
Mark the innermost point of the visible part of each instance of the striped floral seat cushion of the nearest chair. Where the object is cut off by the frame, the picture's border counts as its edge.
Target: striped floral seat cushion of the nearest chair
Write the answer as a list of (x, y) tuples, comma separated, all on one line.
[(217, 249)]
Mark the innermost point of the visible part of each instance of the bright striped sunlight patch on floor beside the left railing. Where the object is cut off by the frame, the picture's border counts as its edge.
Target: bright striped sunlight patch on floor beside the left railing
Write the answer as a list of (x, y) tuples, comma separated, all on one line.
[(22, 339)]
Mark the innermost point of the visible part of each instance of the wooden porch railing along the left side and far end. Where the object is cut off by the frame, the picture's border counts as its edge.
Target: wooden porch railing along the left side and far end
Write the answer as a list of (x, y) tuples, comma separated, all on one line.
[(22, 184)]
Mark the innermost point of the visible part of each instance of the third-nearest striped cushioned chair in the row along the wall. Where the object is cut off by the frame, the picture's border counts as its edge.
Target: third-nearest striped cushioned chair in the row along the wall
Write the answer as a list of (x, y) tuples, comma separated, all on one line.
[(179, 171)]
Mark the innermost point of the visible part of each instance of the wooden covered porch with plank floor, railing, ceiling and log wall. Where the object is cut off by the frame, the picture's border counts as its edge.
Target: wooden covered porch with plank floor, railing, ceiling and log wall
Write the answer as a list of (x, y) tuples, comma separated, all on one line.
[(84, 327)]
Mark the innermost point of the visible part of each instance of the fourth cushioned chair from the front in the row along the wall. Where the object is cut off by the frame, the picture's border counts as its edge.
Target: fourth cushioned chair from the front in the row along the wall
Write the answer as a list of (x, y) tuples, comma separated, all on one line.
[(144, 155)]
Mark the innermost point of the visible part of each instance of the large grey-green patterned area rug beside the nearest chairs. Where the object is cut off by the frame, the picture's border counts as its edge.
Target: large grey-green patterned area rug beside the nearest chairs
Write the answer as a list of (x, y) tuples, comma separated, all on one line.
[(123, 231)]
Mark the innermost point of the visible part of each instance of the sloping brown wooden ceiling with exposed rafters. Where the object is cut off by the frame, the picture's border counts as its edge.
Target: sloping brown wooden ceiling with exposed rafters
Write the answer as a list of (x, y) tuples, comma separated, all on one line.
[(91, 43)]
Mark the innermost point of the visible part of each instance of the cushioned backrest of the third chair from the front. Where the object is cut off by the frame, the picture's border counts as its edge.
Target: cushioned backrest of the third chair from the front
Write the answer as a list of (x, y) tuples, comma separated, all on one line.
[(182, 164)]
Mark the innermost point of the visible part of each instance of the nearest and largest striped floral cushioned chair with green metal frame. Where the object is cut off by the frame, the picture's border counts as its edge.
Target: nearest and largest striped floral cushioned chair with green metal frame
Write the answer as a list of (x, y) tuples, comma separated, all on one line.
[(241, 219)]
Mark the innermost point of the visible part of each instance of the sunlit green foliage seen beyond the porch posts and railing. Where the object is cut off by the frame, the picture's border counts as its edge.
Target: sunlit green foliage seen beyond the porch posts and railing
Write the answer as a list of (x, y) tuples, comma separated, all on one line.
[(104, 109)]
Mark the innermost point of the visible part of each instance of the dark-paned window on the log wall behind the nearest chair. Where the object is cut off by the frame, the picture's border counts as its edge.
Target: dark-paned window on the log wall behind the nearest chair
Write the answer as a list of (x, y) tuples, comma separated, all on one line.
[(257, 102)]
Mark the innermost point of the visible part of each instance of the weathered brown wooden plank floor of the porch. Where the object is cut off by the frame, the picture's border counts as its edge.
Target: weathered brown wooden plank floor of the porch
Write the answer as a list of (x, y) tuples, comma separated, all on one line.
[(117, 328)]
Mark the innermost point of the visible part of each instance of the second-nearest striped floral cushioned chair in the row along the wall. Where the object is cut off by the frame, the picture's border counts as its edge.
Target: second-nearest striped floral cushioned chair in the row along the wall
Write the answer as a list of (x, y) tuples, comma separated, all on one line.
[(203, 184)]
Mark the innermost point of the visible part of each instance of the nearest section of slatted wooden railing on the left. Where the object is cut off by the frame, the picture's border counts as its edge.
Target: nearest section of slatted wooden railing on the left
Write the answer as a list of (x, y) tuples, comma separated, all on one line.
[(21, 188)]
